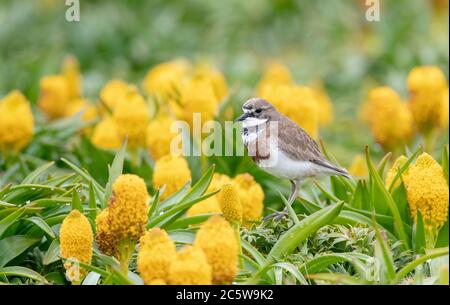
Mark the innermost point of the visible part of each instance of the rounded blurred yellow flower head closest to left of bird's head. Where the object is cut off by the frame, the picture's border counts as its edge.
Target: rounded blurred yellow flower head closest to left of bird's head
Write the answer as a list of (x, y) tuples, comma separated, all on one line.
[(197, 96)]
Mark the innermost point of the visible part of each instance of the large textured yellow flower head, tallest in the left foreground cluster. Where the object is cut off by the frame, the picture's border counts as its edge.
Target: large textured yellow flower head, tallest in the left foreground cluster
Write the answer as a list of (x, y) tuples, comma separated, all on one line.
[(128, 207)]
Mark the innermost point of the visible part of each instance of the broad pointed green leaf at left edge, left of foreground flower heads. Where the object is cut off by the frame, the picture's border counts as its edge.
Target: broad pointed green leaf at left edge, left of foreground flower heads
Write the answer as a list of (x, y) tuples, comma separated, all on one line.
[(13, 246)]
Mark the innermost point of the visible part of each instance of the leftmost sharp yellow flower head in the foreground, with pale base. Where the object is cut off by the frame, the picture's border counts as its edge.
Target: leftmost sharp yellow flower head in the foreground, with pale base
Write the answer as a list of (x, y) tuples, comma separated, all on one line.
[(76, 243)]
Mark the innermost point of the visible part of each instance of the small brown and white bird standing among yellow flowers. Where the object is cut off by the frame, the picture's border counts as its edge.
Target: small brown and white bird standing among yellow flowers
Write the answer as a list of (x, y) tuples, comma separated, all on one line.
[(281, 147)]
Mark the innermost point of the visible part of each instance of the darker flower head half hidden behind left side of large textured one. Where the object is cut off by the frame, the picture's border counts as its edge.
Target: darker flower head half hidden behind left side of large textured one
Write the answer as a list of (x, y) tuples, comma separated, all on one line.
[(106, 241)]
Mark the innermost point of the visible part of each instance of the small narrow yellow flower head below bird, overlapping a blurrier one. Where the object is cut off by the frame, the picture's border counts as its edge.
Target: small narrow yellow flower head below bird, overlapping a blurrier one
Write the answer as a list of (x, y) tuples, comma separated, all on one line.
[(230, 203)]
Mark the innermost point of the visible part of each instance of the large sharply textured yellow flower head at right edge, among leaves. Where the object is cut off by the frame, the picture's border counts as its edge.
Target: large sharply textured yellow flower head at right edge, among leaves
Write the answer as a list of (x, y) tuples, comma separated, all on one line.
[(427, 191)]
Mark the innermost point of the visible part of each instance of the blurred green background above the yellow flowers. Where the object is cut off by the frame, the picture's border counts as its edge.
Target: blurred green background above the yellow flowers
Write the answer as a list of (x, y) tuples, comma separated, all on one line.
[(324, 40)]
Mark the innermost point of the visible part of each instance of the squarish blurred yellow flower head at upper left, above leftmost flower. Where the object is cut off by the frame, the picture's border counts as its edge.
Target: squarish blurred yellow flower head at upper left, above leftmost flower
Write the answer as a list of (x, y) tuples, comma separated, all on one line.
[(54, 96)]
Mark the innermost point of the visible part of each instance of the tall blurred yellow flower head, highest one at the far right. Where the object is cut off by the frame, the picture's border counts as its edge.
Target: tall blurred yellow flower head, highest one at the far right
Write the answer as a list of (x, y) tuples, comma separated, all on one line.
[(426, 85)]
